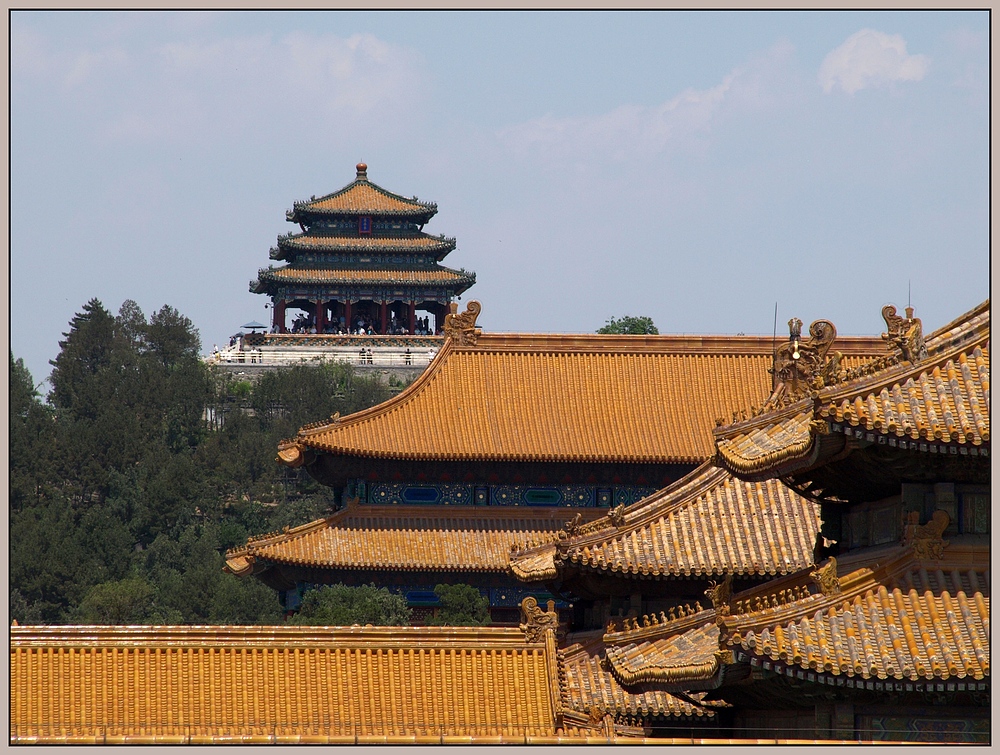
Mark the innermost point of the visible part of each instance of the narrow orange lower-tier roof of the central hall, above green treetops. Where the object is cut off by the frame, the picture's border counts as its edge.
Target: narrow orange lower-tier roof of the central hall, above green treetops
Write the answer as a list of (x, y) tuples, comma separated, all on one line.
[(422, 538)]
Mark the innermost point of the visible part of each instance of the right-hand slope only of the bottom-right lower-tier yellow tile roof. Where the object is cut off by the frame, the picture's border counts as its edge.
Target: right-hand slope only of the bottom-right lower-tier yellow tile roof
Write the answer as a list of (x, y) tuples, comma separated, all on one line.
[(908, 618)]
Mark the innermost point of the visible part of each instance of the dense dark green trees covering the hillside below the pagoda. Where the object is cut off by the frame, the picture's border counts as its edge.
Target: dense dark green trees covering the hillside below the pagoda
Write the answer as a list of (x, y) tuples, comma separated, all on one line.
[(143, 466)]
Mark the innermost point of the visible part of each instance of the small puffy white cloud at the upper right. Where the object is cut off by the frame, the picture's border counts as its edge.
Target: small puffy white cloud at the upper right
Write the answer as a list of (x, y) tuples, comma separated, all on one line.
[(870, 58)]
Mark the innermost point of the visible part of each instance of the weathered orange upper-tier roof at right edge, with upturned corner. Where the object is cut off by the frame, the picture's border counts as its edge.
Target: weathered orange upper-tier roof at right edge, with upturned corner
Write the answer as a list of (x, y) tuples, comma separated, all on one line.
[(943, 398)]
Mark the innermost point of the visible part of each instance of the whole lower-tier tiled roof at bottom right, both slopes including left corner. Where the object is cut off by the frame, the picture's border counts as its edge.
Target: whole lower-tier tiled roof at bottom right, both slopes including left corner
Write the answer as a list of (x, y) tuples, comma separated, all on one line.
[(898, 618)]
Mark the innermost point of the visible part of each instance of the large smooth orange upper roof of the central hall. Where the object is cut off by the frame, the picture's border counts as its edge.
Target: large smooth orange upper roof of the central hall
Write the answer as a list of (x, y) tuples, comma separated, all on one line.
[(587, 398)]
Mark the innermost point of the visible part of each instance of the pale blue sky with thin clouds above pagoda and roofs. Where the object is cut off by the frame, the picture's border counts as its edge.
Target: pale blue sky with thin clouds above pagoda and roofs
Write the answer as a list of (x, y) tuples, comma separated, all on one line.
[(698, 168)]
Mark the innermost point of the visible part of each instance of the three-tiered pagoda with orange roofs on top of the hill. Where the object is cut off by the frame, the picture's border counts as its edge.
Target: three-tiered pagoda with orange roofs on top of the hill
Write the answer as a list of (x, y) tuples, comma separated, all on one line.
[(362, 262)]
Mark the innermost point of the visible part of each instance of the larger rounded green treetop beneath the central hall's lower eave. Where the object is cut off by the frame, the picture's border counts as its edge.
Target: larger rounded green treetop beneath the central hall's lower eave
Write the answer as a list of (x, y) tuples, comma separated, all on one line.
[(340, 605)]
